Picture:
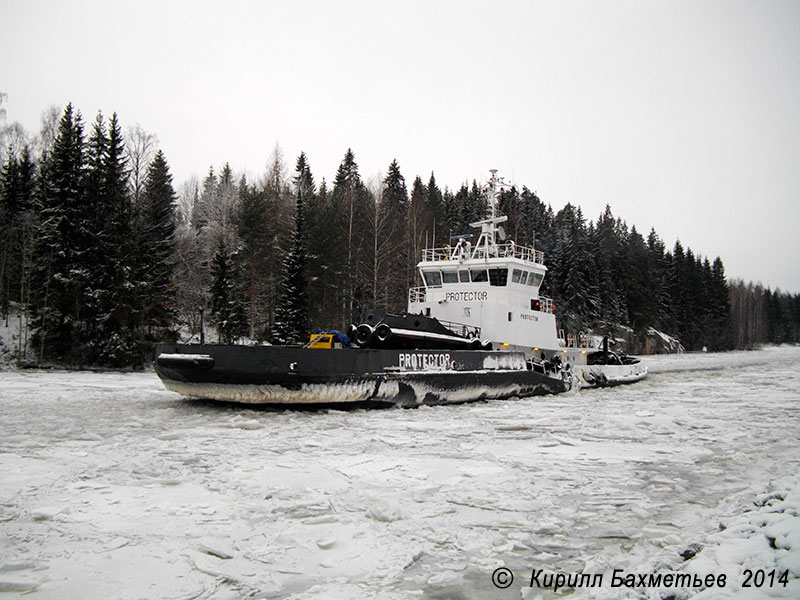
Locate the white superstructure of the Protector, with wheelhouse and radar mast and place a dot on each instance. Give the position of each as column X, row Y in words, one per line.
column 492, row 285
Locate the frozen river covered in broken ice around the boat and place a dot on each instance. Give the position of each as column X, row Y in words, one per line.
column 112, row 487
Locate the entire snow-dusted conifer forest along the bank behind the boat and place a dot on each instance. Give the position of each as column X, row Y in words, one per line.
column 101, row 255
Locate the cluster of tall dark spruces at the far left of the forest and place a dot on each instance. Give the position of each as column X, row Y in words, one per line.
column 86, row 256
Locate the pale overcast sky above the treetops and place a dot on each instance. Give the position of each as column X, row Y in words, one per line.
column 684, row 115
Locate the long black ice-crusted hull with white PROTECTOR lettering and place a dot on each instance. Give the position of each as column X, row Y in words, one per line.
column 281, row 375
